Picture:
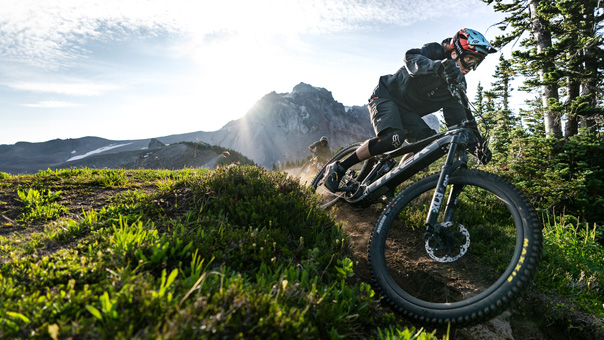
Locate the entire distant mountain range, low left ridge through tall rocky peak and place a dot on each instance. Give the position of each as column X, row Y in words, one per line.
column 277, row 128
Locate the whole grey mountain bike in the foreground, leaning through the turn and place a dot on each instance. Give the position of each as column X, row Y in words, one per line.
column 457, row 246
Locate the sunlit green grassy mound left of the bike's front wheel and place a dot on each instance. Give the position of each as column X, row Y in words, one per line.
column 234, row 253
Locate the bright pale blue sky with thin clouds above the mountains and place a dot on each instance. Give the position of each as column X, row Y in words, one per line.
column 130, row 69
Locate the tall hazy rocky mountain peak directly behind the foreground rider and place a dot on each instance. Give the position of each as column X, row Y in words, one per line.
column 280, row 127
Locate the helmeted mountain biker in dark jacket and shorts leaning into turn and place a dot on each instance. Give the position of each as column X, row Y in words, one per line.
column 418, row 88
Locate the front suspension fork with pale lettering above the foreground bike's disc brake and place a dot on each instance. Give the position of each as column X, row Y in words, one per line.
column 441, row 188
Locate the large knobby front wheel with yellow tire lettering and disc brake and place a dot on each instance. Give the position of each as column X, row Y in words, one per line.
column 484, row 250
